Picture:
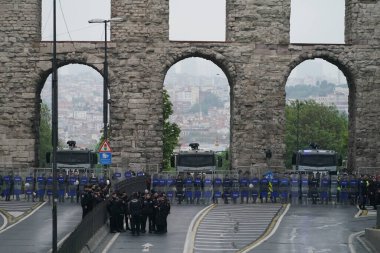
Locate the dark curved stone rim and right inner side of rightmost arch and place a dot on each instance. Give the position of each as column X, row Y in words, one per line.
column 348, row 70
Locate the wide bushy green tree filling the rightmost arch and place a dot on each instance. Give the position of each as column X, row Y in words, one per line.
column 317, row 123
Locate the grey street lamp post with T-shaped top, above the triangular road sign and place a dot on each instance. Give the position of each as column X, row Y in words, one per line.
column 105, row 72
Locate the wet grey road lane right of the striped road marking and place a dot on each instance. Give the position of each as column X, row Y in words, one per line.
column 316, row 229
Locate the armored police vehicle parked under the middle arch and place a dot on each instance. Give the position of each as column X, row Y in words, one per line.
column 195, row 160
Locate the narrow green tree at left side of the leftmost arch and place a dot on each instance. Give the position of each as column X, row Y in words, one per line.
column 45, row 134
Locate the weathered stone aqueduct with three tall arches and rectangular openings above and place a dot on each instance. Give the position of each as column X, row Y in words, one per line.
column 256, row 57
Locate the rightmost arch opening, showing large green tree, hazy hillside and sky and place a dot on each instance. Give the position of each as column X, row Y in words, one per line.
column 320, row 109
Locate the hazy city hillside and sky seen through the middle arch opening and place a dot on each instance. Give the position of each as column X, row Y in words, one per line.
column 200, row 94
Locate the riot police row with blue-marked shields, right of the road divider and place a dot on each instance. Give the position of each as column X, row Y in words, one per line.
column 295, row 188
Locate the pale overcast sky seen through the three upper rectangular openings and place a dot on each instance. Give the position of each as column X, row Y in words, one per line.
column 312, row 21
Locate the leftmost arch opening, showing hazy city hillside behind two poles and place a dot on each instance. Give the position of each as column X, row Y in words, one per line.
column 80, row 109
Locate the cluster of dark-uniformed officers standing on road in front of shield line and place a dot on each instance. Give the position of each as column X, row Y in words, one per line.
column 139, row 213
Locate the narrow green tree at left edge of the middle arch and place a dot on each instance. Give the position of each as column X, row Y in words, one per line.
column 171, row 132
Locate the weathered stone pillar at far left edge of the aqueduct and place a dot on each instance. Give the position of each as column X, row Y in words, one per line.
column 19, row 33
